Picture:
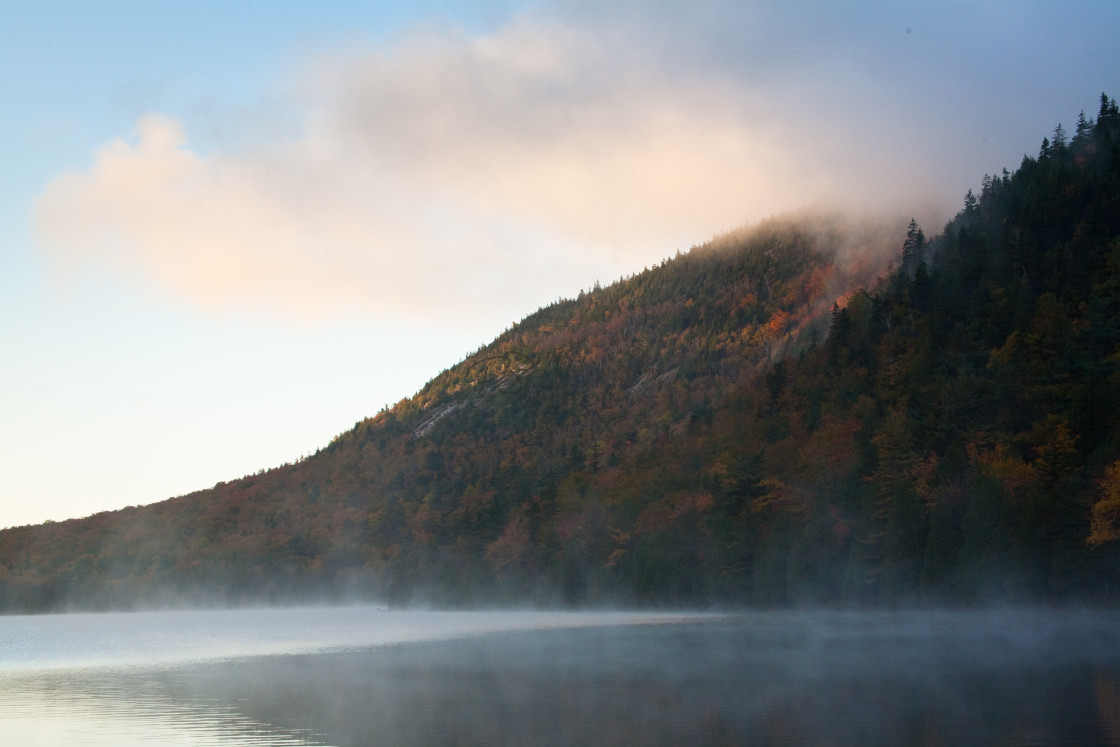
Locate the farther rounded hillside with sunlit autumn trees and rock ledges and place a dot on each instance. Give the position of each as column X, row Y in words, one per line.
column 500, row 478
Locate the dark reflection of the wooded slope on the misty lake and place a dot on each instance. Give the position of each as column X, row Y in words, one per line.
column 866, row 679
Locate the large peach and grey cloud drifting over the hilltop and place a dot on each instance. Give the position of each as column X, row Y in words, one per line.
column 482, row 175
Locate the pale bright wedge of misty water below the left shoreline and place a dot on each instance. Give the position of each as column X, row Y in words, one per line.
column 44, row 642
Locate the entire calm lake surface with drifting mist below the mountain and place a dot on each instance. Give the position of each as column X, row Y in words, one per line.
column 360, row 676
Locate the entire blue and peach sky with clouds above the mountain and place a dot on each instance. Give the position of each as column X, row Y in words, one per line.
column 230, row 230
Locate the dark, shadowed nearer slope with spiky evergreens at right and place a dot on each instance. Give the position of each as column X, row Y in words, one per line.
column 956, row 438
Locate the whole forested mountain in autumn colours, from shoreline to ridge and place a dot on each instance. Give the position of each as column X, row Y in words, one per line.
column 776, row 417
